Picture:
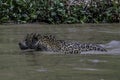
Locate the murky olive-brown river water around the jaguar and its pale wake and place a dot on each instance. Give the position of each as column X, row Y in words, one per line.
column 19, row 65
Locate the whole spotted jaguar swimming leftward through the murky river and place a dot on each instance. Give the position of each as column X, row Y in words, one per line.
column 47, row 42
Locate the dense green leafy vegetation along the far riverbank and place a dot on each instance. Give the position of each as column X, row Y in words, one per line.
column 58, row 11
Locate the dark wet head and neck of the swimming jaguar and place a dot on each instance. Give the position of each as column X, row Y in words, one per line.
column 37, row 42
